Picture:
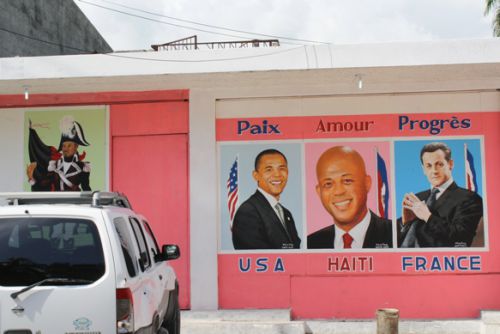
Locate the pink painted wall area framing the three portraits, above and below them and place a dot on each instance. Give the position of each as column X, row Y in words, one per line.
column 353, row 284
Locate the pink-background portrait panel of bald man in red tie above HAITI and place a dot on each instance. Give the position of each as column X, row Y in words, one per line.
column 348, row 191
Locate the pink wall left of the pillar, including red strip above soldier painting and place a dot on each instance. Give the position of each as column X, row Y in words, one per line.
column 144, row 126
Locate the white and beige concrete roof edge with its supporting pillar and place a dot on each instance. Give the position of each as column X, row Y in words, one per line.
column 404, row 77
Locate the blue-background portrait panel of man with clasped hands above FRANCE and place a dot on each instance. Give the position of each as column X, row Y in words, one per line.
column 439, row 193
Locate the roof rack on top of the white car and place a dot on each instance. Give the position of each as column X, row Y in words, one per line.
column 95, row 199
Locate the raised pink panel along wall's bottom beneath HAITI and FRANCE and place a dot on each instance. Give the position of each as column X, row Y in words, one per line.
column 417, row 297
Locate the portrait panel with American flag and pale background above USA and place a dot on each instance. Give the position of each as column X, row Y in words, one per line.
column 249, row 221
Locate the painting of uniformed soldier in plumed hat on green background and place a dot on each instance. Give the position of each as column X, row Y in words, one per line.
column 64, row 149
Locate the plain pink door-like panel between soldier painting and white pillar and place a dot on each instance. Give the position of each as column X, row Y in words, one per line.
column 149, row 155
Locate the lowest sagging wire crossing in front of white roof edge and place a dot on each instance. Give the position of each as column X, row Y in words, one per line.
column 147, row 59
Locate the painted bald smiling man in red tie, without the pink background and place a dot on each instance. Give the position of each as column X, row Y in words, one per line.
column 343, row 187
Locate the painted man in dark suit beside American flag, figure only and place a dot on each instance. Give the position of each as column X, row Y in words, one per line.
column 261, row 222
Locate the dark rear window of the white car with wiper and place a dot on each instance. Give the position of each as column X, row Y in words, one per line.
column 35, row 249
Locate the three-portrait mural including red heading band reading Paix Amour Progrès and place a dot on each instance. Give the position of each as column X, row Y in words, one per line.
column 347, row 183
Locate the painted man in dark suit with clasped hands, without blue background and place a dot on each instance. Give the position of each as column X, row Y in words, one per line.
column 445, row 215
